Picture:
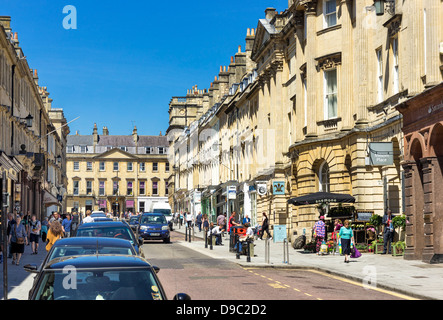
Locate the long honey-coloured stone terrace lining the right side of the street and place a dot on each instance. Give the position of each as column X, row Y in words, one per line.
column 311, row 105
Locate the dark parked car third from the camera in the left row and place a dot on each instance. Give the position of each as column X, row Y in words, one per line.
column 111, row 229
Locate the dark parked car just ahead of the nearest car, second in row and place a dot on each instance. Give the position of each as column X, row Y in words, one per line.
column 72, row 247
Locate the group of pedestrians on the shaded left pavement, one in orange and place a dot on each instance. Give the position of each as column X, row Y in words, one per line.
column 23, row 230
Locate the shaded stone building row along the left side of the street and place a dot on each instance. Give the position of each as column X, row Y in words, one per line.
column 32, row 134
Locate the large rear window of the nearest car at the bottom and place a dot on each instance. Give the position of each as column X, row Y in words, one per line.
column 116, row 284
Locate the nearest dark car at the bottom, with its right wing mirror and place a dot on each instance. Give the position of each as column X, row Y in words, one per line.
column 100, row 277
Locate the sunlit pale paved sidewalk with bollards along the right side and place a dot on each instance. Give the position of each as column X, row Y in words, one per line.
column 412, row 278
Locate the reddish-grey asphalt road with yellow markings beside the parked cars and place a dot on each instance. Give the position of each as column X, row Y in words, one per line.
column 206, row 278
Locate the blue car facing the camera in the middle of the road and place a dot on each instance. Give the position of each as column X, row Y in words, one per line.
column 154, row 226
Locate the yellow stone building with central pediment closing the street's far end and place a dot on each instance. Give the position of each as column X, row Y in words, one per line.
column 115, row 173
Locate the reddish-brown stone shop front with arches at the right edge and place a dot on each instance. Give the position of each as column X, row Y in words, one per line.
column 423, row 172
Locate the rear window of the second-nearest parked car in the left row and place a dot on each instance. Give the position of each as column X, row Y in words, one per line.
column 66, row 251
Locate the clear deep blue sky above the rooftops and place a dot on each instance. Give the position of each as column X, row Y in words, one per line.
column 126, row 59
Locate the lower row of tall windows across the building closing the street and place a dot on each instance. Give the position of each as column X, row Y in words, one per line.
column 116, row 191
